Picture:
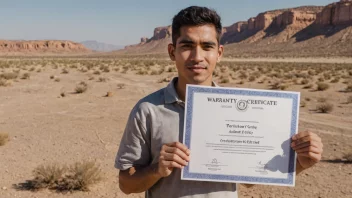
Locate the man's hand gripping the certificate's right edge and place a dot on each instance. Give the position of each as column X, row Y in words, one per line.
column 309, row 148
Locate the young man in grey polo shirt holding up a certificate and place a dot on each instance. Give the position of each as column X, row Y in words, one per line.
column 150, row 157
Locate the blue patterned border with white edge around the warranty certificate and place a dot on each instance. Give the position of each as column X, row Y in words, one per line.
column 192, row 89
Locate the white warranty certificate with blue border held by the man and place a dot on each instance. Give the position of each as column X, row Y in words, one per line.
column 240, row 135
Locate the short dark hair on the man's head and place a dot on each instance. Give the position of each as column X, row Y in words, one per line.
column 195, row 16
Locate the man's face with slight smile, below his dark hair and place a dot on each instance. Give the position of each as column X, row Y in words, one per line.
column 196, row 53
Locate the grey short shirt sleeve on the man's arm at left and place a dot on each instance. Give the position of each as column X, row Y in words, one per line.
column 134, row 149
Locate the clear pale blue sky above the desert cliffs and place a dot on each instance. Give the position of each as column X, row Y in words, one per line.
column 113, row 21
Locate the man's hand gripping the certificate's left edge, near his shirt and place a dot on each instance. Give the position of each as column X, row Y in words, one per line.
column 173, row 155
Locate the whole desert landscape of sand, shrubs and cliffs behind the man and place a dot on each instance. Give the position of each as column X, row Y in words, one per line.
column 63, row 107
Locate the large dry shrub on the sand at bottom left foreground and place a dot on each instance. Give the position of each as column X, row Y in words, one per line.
column 77, row 177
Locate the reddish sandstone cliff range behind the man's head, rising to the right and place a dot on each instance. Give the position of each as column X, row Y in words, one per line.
column 305, row 27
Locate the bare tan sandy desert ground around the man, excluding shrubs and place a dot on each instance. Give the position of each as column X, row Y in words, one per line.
column 45, row 128
